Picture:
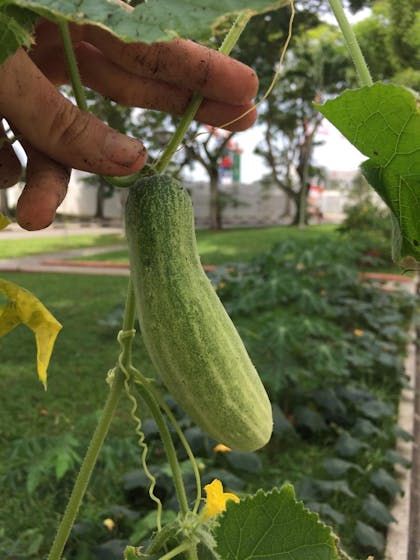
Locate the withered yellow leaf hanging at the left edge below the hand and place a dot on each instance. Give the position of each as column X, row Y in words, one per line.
column 24, row 307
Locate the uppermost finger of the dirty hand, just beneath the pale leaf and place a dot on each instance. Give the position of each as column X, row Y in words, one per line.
column 183, row 63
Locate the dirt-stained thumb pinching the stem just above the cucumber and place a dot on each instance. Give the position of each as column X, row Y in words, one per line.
column 55, row 127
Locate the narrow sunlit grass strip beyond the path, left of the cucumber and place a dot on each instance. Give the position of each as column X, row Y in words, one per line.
column 14, row 248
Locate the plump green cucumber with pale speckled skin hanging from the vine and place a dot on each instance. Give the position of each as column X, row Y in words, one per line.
column 191, row 340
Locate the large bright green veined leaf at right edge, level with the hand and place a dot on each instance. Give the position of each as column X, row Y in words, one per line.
column 383, row 122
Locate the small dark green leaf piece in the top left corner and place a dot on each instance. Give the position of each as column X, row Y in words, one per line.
column 16, row 27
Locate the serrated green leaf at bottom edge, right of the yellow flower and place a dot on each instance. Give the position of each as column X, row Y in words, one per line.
column 273, row 526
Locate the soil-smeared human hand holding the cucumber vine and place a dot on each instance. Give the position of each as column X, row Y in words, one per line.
column 57, row 136
